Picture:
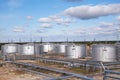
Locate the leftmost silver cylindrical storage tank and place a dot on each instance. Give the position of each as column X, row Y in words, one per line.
column 10, row 48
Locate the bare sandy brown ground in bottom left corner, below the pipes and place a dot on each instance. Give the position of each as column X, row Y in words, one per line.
column 10, row 73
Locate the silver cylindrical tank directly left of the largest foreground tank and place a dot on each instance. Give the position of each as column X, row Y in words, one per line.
column 75, row 51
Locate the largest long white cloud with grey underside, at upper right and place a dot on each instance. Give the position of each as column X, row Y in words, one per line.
column 90, row 11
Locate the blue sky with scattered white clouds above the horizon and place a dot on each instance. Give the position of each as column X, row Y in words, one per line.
column 55, row 20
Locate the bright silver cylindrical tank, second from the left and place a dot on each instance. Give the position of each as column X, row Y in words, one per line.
column 28, row 49
